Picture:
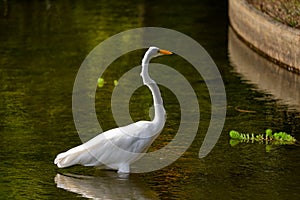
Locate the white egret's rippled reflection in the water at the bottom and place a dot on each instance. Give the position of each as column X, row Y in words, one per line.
column 108, row 185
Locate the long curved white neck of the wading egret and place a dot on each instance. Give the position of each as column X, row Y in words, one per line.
column 159, row 110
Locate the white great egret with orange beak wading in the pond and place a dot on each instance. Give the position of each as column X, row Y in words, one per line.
column 119, row 147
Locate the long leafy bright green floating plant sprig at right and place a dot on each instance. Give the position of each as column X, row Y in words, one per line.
column 268, row 137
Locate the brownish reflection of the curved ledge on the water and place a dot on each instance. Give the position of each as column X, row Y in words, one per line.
column 269, row 77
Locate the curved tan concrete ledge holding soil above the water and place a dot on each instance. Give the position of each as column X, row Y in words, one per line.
column 275, row 40
